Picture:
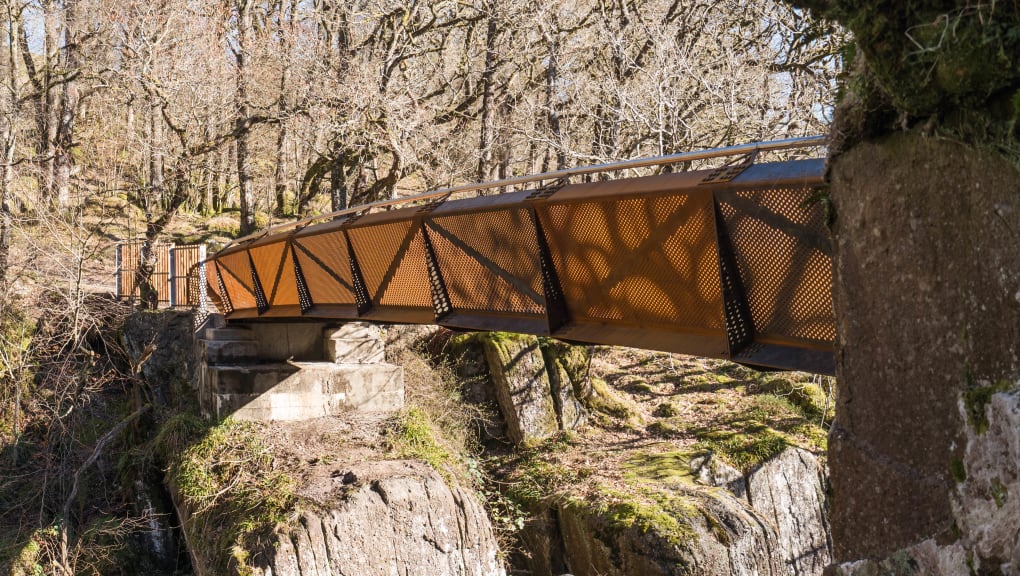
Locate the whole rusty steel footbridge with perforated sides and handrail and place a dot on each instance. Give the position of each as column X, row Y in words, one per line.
column 733, row 263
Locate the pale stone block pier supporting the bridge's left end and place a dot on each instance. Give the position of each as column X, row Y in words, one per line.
column 295, row 372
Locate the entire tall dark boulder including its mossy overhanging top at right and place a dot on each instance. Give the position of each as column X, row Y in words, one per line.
column 927, row 192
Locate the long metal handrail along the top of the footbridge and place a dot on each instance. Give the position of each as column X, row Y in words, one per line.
column 786, row 144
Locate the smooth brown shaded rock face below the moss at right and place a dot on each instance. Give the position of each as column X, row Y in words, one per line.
column 926, row 231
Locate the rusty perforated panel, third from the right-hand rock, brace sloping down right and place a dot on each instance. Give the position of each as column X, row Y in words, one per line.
column 503, row 275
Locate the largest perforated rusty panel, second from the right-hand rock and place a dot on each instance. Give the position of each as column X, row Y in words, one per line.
column 649, row 261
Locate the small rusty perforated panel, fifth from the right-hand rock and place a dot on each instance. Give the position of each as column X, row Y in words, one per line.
column 327, row 268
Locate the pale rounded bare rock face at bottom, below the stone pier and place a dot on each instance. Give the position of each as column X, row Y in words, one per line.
column 390, row 518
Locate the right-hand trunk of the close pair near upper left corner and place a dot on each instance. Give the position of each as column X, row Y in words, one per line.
column 64, row 160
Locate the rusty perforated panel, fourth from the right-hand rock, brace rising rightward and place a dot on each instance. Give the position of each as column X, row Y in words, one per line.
column 392, row 257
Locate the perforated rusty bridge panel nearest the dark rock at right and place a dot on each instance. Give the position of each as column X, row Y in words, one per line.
column 787, row 276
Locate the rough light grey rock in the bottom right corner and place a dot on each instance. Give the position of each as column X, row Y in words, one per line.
column 986, row 504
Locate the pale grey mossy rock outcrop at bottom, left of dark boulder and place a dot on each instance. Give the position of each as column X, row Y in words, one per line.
column 772, row 522
